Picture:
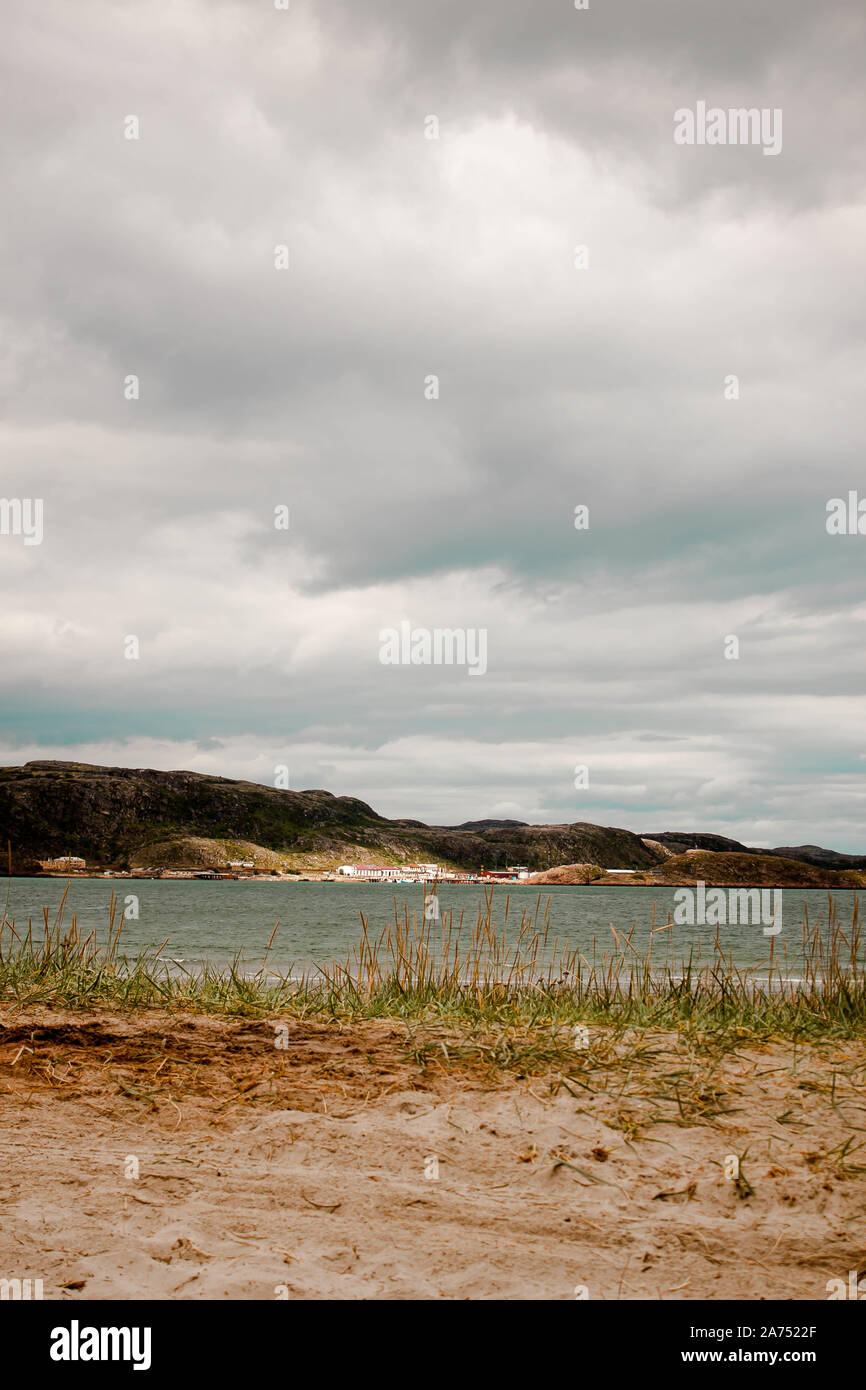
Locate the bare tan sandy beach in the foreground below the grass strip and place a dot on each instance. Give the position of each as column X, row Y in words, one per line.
column 162, row 1156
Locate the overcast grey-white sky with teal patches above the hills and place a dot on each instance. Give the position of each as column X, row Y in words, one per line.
column 558, row 387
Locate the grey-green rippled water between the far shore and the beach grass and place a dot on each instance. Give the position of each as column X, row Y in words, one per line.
column 319, row 921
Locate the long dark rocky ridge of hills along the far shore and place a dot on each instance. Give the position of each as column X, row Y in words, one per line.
column 117, row 818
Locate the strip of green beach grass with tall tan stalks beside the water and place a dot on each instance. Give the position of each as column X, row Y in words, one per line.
column 493, row 976
